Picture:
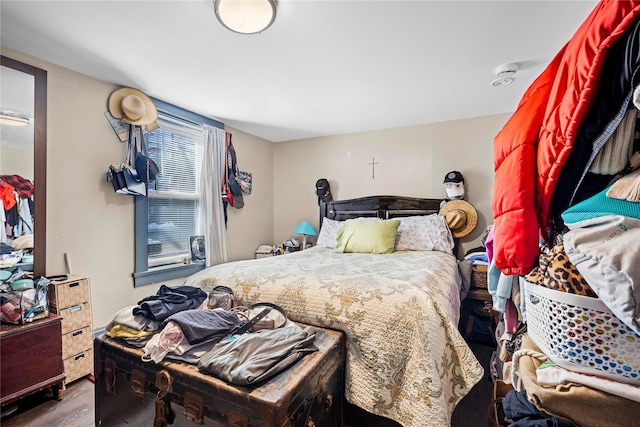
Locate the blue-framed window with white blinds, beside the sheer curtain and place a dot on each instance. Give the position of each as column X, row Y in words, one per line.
column 170, row 214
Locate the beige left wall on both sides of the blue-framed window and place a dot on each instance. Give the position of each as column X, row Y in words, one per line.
column 89, row 221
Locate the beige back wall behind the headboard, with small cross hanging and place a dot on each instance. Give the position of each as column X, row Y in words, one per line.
column 411, row 161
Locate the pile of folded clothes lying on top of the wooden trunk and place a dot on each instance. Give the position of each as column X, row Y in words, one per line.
column 177, row 323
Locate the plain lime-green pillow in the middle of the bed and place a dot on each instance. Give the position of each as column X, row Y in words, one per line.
column 370, row 237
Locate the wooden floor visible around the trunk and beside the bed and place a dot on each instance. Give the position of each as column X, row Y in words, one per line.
column 76, row 409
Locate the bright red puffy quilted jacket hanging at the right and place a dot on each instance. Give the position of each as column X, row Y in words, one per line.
column 533, row 146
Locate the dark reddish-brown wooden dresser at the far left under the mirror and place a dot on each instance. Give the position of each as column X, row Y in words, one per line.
column 31, row 359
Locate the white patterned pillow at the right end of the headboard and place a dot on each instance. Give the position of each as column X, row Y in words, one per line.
column 424, row 233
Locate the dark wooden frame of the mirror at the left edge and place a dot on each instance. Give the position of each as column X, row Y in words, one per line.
column 40, row 161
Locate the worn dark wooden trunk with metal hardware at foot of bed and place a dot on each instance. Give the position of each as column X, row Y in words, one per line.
column 309, row 393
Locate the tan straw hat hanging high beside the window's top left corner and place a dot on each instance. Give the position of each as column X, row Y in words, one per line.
column 132, row 106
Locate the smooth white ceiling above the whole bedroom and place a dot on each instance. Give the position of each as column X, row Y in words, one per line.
column 323, row 68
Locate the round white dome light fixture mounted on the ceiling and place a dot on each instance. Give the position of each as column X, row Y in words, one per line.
column 245, row 16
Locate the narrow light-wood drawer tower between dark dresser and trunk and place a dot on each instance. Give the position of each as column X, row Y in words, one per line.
column 71, row 300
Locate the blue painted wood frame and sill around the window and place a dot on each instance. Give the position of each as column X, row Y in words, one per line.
column 143, row 275
